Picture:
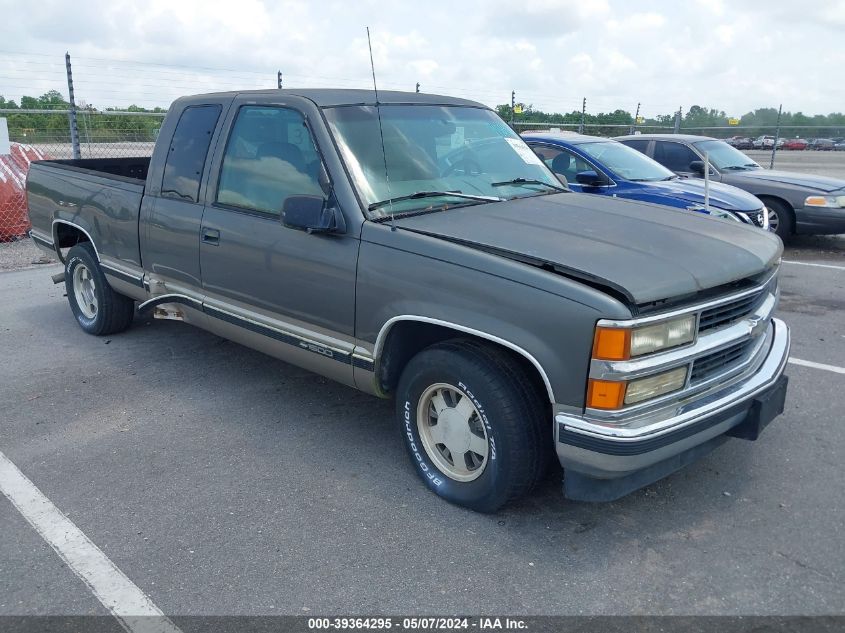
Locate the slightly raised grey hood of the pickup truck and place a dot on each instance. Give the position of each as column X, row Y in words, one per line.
column 643, row 251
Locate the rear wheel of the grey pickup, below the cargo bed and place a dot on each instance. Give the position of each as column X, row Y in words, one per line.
column 98, row 309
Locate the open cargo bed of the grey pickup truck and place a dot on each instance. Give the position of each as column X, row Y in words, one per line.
column 99, row 196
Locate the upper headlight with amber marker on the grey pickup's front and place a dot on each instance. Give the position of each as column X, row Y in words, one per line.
column 624, row 343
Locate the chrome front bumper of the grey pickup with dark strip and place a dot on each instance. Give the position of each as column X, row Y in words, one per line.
column 602, row 452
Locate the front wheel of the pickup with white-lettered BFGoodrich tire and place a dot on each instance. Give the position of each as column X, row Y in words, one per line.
column 473, row 424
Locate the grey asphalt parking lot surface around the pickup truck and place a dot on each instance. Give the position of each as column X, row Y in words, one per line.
column 220, row 481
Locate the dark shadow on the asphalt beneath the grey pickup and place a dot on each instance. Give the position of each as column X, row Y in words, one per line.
column 282, row 418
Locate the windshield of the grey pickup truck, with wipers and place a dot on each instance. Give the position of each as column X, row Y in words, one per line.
column 430, row 148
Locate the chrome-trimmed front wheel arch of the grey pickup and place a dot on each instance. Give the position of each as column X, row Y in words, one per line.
column 401, row 337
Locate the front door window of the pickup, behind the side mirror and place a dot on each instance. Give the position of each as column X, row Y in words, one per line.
column 270, row 156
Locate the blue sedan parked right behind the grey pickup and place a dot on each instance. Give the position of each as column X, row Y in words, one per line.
column 602, row 166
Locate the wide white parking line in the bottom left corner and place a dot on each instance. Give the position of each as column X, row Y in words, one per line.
column 124, row 600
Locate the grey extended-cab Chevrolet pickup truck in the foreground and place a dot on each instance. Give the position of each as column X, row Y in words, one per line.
column 416, row 248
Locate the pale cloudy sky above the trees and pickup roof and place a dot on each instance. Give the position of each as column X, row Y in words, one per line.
column 735, row 56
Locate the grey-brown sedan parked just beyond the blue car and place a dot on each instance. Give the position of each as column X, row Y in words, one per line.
column 797, row 203
